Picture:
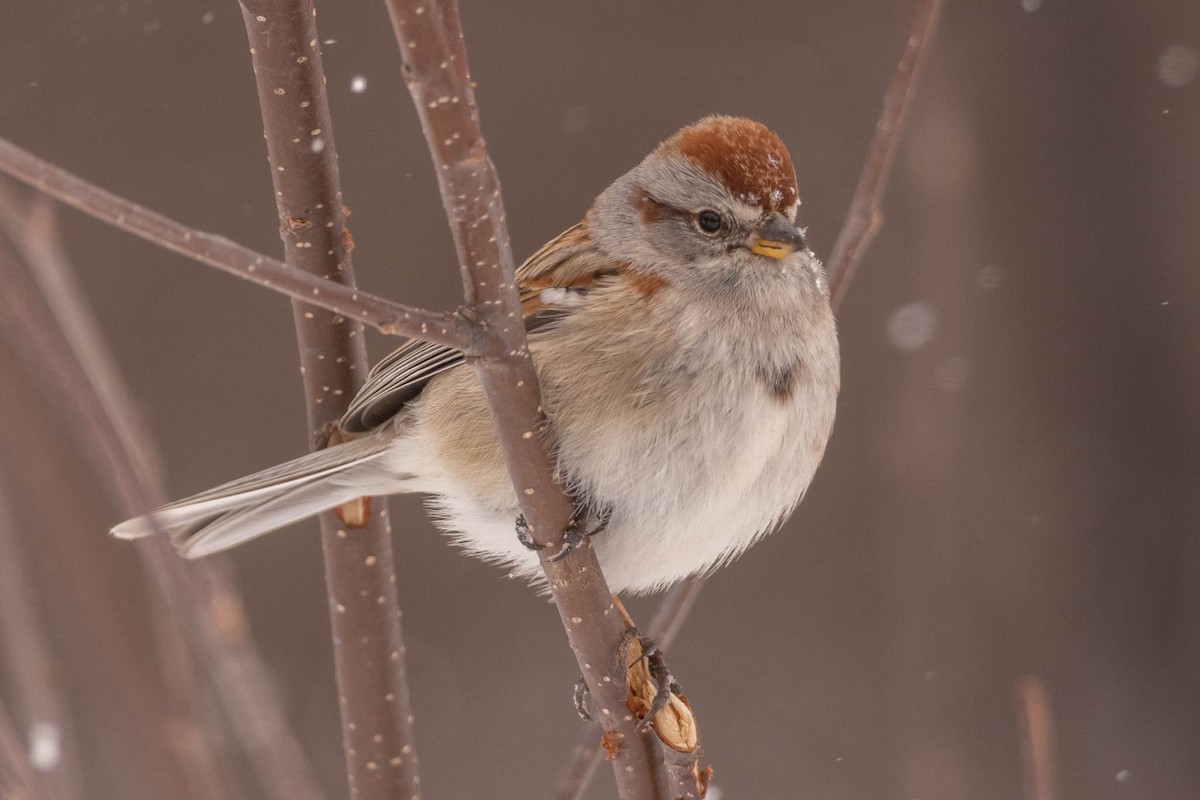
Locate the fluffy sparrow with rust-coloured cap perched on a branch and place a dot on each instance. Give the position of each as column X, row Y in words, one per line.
column 689, row 370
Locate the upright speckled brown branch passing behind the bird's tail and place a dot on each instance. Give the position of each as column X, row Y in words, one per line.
column 369, row 653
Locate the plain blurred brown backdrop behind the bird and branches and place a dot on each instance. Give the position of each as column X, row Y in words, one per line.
column 1012, row 488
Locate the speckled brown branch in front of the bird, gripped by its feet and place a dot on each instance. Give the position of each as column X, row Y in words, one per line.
column 437, row 76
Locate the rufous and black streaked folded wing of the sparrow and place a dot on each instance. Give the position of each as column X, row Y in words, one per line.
column 553, row 281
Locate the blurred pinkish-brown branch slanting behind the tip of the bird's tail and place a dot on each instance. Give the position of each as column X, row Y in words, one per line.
column 202, row 596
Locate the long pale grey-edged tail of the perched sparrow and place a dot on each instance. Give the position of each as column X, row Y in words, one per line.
column 265, row 502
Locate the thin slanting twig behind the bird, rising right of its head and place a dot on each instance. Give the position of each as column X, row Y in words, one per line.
column 863, row 221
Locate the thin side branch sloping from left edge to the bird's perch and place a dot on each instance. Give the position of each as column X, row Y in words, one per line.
column 217, row 251
